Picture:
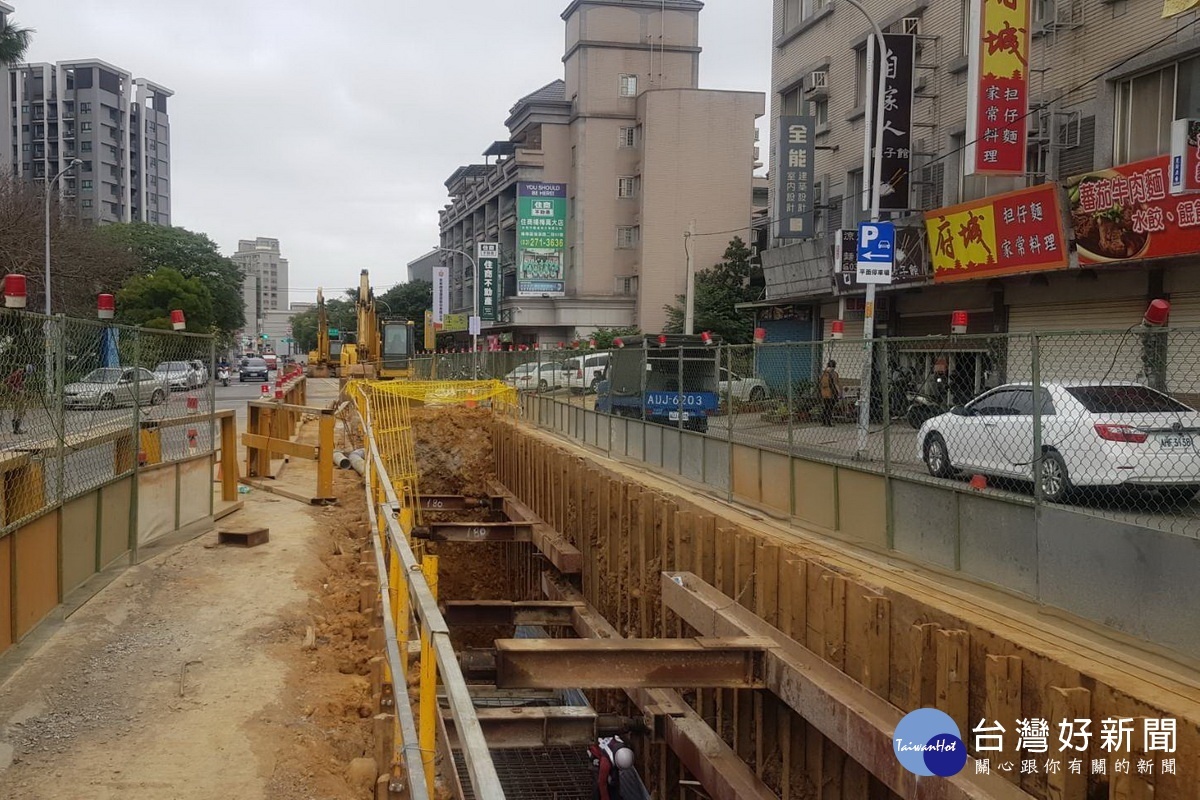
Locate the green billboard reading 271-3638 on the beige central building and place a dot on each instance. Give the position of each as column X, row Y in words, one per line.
column 542, row 239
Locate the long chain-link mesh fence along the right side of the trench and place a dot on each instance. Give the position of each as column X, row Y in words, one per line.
column 1103, row 422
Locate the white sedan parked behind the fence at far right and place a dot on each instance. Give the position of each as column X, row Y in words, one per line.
column 1093, row 436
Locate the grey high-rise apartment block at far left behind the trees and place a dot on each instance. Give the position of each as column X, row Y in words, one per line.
column 117, row 125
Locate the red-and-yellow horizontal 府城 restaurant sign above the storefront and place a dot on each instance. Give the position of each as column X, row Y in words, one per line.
column 1004, row 234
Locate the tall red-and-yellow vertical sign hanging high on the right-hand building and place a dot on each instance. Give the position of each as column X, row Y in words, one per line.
column 998, row 88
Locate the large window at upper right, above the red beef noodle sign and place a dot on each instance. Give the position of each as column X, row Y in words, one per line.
column 1149, row 104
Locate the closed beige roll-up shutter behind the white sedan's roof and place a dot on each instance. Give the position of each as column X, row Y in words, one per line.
column 1065, row 353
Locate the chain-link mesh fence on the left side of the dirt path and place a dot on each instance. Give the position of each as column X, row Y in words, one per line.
column 83, row 402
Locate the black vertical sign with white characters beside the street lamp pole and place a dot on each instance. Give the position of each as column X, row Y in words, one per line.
column 895, row 176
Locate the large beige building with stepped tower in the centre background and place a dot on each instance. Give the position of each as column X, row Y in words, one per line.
column 603, row 175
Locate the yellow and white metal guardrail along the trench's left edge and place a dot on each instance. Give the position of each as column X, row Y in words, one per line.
column 406, row 584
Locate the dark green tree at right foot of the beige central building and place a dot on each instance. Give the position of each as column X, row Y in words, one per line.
column 718, row 292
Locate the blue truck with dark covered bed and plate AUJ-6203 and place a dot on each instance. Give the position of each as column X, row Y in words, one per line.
column 670, row 380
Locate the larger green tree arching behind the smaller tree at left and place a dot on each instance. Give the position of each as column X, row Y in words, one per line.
column 194, row 256
